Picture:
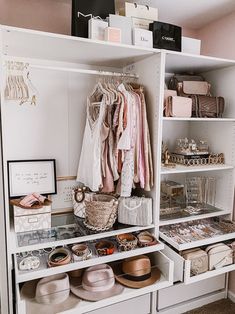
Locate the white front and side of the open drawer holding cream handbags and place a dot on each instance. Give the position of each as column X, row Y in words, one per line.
column 182, row 268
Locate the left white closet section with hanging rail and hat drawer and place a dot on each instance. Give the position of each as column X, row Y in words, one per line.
column 64, row 70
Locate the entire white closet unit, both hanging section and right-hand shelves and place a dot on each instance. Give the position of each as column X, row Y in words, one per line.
column 64, row 69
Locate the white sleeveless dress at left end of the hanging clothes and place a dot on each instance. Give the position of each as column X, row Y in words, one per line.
column 89, row 168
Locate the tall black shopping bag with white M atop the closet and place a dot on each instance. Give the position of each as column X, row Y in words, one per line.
column 101, row 8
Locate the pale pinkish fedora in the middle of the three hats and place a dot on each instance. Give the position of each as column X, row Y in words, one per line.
column 98, row 282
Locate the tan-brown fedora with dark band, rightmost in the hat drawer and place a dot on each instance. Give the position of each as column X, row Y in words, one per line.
column 136, row 272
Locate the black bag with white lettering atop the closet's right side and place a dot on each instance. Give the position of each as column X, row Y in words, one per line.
column 166, row 36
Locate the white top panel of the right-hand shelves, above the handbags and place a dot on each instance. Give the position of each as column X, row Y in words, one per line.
column 178, row 62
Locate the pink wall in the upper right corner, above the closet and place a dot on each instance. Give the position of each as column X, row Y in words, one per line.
column 218, row 37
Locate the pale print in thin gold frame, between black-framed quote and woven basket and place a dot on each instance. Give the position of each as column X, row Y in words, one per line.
column 62, row 202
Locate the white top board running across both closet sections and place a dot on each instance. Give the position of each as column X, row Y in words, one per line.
column 25, row 43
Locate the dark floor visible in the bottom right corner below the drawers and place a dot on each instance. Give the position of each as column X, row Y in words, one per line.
column 224, row 306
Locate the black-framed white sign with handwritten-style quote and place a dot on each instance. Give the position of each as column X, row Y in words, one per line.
column 28, row 176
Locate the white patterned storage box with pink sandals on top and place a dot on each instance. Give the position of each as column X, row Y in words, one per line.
column 32, row 219
